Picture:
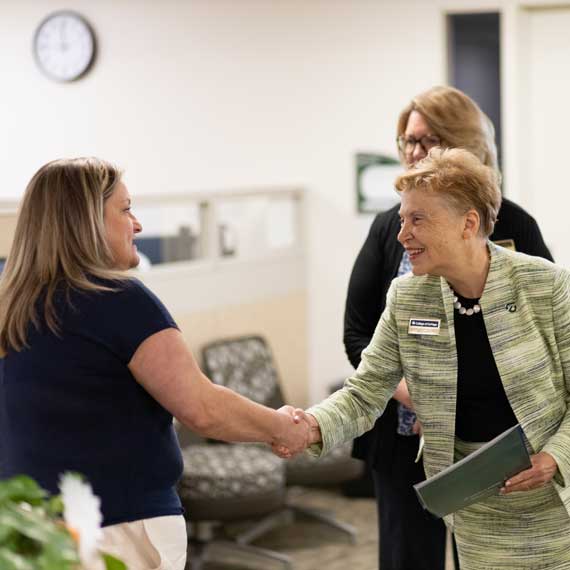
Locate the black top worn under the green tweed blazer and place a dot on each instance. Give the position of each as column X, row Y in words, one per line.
column 483, row 410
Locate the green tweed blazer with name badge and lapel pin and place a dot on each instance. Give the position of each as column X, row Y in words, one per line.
column 526, row 309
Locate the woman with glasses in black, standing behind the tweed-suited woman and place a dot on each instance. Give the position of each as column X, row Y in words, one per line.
column 441, row 116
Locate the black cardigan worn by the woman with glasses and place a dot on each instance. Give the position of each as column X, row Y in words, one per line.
column 375, row 267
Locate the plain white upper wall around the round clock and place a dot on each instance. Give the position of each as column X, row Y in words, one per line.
column 205, row 94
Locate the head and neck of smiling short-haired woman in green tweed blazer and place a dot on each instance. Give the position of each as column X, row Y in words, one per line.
column 449, row 208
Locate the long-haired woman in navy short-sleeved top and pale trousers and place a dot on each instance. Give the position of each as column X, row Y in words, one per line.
column 93, row 367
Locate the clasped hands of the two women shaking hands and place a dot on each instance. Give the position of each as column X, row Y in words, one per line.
column 298, row 430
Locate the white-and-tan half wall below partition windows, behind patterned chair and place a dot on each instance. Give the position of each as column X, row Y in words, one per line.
column 263, row 295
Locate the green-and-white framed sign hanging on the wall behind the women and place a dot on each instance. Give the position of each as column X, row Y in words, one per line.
column 375, row 176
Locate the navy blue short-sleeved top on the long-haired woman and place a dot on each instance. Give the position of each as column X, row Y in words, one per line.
column 69, row 402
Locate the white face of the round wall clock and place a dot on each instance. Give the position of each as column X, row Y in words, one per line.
column 64, row 46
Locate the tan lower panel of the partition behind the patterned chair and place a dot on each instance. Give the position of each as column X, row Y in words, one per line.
column 281, row 320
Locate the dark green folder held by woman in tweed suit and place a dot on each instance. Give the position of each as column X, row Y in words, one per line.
column 476, row 476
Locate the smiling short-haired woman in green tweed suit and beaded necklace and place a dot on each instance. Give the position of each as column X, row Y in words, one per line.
column 498, row 354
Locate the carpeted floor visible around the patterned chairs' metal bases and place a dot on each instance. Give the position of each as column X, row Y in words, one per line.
column 313, row 545
